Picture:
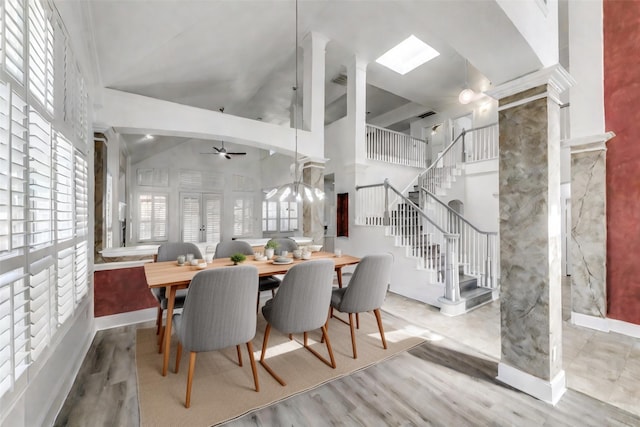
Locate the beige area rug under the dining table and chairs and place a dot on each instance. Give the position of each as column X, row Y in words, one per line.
column 222, row 390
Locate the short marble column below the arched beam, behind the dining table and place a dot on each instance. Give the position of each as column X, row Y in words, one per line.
column 313, row 212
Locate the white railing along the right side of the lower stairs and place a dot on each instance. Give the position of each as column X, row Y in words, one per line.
column 478, row 250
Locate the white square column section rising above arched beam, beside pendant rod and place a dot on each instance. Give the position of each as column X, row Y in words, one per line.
column 313, row 92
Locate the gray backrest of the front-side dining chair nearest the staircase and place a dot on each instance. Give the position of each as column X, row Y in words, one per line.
column 368, row 286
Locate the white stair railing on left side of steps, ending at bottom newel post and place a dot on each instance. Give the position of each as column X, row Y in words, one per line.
column 435, row 247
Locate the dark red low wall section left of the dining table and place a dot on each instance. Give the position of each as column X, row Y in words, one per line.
column 121, row 291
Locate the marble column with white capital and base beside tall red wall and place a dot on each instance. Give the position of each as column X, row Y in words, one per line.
column 589, row 231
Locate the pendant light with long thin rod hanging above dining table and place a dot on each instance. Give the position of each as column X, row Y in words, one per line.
column 296, row 191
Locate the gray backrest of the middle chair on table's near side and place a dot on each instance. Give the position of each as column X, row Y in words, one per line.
column 302, row 301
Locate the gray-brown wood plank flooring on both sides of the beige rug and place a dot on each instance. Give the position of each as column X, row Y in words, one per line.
column 440, row 383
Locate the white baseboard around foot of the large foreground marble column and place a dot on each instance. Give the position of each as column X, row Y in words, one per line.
column 547, row 391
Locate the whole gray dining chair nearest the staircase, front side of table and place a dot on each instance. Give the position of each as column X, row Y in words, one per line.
column 366, row 292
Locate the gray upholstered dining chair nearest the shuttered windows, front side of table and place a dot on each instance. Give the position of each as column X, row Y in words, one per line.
column 218, row 313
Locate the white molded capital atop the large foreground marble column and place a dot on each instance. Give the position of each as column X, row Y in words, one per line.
column 555, row 77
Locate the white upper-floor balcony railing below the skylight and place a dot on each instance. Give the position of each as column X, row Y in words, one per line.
column 395, row 147
